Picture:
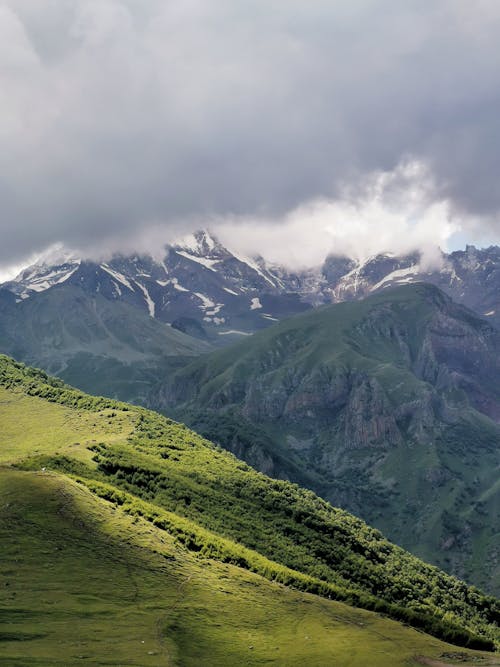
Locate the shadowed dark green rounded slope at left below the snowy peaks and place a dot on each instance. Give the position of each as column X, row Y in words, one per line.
column 105, row 346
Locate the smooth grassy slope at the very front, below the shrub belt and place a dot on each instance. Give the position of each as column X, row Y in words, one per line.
column 85, row 584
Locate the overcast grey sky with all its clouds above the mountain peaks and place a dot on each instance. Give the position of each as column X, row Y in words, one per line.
column 352, row 123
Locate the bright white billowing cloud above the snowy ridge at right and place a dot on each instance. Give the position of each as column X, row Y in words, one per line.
column 396, row 213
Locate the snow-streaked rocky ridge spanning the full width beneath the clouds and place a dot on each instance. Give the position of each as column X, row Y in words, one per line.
column 210, row 292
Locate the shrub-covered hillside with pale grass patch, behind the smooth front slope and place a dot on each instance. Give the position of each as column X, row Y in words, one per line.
column 153, row 469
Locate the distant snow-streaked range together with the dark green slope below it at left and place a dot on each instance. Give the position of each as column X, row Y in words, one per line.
column 83, row 320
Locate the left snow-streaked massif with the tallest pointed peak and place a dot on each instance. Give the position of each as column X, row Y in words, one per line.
column 199, row 287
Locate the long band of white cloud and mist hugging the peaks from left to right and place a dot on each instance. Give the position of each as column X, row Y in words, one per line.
column 394, row 211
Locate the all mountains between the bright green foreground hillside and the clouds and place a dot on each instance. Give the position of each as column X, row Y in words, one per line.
column 394, row 415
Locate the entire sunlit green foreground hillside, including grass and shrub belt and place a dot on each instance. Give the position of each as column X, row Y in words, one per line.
column 166, row 525
